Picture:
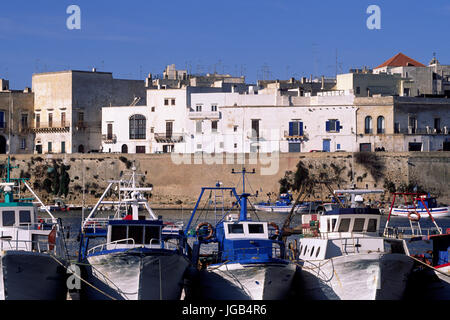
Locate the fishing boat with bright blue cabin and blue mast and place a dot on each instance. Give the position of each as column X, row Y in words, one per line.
column 247, row 261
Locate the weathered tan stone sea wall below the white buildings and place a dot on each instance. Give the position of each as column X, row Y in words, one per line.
column 173, row 182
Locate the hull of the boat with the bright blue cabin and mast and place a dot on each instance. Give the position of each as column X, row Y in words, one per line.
column 235, row 281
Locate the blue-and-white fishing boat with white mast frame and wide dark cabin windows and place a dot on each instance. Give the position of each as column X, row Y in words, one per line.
column 139, row 256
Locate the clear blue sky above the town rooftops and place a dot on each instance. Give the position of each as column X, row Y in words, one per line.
column 285, row 37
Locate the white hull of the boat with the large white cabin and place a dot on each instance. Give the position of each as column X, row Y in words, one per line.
column 372, row 276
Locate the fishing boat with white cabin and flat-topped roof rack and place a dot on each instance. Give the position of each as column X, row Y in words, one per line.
column 350, row 260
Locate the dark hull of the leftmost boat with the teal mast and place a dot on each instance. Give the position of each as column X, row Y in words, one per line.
column 31, row 276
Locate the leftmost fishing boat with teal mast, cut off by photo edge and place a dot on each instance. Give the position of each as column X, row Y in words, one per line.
column 33, row 255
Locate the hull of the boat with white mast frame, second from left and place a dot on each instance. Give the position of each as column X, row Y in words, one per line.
column 125, row 276
